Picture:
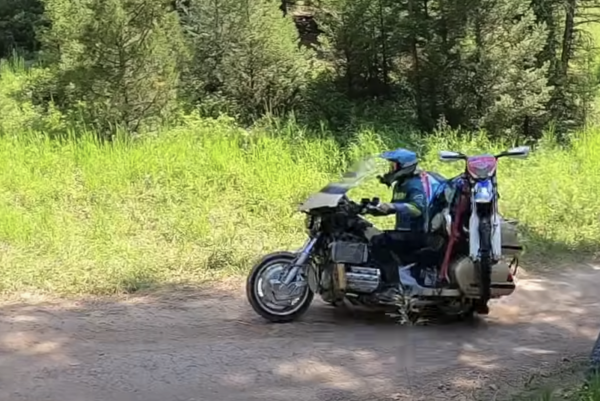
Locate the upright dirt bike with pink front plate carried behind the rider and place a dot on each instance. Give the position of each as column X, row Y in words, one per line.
column 474, row 225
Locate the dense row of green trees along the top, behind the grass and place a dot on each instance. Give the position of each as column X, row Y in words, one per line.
column 507, row 66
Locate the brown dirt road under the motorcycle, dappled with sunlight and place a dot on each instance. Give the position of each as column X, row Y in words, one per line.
column 210, row 346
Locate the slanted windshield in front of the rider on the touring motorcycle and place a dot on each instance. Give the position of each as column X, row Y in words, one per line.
column 332, row 193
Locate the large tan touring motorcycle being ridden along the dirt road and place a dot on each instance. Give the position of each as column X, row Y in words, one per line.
column 336, row 261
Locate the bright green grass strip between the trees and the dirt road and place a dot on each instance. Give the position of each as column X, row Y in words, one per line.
column 206, row 198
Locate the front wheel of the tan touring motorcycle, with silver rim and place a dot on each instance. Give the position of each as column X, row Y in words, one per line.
column 269, row 297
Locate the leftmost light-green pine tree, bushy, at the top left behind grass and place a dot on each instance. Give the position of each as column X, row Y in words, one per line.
column 117, row 59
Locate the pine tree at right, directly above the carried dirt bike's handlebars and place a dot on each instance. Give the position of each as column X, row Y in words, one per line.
column 500, row 84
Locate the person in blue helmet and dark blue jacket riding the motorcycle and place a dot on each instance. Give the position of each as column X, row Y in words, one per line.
column 409, row 203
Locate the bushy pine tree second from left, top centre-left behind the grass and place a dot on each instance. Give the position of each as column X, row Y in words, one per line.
column 247, row 58
